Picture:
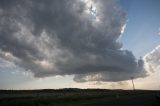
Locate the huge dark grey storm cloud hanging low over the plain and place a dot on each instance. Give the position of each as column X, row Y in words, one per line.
column 67, row 37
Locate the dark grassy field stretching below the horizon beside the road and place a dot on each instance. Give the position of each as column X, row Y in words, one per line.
column 69, row 97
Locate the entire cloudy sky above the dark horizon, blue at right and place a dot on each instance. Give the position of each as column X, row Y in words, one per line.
column 79, row 44
